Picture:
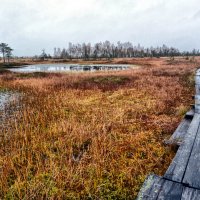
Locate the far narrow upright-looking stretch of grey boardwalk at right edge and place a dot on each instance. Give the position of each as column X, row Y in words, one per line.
column 197, row 95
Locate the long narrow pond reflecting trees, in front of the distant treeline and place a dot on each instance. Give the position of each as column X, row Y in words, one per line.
column 67, row 68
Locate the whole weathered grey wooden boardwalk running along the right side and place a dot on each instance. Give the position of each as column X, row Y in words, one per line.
column 182, row 179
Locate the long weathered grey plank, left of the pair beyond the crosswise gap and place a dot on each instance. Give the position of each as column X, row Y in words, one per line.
column 177, row 168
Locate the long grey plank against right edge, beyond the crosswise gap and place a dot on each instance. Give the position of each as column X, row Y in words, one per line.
column 192, row 174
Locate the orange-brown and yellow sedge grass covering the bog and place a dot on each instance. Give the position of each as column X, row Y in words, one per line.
column 92, row 135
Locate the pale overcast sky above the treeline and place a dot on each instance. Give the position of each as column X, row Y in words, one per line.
column 28, row 26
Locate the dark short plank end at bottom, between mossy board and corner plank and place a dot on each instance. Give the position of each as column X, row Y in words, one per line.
column 170, row 191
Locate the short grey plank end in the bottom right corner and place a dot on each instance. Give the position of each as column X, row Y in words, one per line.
column 190, row 194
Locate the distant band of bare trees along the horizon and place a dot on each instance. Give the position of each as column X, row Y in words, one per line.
column 120, row 50
